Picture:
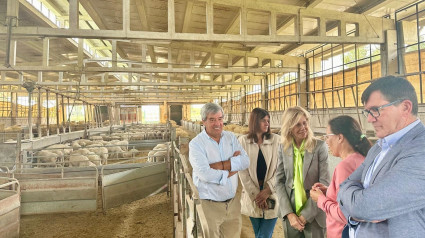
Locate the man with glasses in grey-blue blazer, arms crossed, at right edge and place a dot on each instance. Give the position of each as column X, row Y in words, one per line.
column 385, row 196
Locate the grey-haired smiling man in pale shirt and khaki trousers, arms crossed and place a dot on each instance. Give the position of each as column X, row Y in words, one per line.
column 216, row 156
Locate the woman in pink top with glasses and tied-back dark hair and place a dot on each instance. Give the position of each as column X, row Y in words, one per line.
column 345, row 140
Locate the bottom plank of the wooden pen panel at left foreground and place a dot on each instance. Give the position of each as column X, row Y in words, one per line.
column 58, row 207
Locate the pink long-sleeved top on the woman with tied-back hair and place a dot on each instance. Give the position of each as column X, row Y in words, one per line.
column 335, row 220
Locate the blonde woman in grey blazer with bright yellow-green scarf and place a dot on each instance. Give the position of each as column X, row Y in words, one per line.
column 303, row 161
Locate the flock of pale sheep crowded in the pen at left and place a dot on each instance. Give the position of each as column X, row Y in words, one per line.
column 100, row 149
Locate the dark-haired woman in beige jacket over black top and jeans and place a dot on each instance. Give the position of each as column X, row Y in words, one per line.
column 258, row 198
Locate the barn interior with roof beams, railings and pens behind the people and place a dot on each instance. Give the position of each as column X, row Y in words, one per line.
column 92, row 74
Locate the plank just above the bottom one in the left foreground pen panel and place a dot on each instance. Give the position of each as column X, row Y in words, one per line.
column 59, row 195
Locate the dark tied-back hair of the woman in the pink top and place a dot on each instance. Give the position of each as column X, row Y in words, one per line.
column 350, row 129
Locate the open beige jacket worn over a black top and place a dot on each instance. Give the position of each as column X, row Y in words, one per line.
column 248, row 177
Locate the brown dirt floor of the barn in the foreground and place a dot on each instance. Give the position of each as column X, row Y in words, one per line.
column 148, row 217
